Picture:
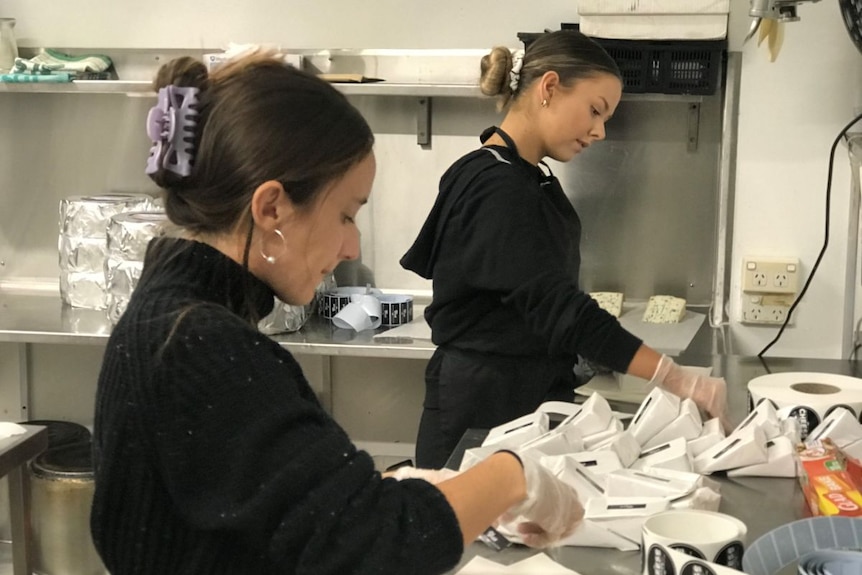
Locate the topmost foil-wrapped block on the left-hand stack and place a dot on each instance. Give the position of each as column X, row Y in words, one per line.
column 88, row 216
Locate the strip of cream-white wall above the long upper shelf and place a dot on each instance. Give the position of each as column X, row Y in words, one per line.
column 291, row 24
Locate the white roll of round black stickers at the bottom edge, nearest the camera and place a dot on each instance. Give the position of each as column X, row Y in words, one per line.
column 707, row 535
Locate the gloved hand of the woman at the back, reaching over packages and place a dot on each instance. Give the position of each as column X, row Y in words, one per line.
column 709, row 393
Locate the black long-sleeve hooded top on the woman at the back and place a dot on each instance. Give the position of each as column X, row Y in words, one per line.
column 502, row 246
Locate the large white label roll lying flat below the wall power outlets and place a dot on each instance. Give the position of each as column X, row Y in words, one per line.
column 807, row 396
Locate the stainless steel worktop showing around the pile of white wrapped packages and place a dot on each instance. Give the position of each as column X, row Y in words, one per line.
column 762, row 503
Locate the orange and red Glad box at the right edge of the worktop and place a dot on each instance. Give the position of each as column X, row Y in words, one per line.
column 827, row 485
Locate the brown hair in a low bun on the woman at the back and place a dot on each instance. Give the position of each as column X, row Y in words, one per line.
column 567, row 52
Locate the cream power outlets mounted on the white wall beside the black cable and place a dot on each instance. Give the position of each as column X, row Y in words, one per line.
column 769, row 286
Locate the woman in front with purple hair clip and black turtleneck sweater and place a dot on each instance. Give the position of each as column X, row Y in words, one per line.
column 212, row 453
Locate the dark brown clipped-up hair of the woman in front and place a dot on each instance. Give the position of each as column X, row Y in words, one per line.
column 258, row 120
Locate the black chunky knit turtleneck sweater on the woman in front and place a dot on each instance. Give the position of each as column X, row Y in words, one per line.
column 213, row 454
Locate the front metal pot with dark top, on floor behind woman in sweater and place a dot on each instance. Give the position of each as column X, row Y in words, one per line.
column 61, row 494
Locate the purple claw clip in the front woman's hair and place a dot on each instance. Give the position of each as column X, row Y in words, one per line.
column 170, row 125
